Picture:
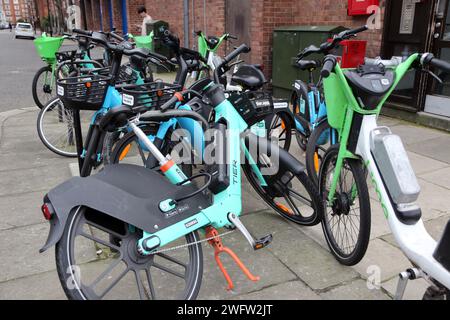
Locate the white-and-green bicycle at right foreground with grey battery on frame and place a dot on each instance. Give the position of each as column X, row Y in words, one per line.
column 354, row 100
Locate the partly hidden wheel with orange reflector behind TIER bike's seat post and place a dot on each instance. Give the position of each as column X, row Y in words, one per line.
column 128, row 149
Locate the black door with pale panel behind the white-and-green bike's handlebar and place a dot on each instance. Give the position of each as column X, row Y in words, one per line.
column 408, row 30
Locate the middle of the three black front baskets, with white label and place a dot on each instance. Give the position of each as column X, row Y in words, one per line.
column 149, row 95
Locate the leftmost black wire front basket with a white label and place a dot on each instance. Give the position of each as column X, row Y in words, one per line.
column 86, row 92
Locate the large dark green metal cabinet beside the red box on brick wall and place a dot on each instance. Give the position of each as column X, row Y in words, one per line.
column 287, row 43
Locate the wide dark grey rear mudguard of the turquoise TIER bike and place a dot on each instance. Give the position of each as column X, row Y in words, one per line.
column 126, row 192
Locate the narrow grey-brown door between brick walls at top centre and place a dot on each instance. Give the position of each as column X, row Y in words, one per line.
column 237, row 23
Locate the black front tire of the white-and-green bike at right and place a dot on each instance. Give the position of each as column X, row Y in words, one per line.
column 363, row 237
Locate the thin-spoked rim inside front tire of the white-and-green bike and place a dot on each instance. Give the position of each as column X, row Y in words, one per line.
column 342, row 216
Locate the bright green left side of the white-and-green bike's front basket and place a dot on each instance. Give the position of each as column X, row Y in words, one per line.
column 335, row 100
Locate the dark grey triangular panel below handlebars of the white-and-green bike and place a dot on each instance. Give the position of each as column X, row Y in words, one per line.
column 370, row 87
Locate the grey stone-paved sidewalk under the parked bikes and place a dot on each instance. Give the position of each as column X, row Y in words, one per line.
column 297, row 265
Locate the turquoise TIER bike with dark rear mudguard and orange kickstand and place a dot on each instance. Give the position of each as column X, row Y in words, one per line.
column 119, row 208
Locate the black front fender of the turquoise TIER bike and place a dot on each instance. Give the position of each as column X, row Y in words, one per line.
column 286, row 160
